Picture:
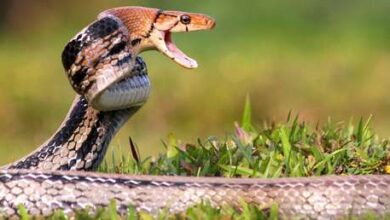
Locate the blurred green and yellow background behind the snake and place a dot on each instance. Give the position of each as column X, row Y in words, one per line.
column 316, row 58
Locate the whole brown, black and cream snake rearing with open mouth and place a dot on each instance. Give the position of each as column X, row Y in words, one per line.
column 111, row 80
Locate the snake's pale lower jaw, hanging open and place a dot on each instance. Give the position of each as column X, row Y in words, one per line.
column 169, row 48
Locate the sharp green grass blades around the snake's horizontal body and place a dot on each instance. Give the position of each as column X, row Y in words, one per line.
column 291, row 148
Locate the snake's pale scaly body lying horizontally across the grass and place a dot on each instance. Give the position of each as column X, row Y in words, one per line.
column 316, row 198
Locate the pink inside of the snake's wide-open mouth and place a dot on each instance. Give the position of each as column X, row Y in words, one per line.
column 178, row 55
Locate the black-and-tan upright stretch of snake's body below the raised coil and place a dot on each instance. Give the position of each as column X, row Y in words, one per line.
column 81, row 141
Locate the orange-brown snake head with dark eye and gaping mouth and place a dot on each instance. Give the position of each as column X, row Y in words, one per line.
column 150, row 29
